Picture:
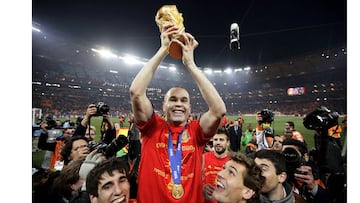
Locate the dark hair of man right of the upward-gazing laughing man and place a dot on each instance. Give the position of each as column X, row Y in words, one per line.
column 275, row 157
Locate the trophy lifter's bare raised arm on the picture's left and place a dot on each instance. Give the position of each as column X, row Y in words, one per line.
column 141, row 105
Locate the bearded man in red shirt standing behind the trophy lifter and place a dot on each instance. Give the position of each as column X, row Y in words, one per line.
column 213, row 162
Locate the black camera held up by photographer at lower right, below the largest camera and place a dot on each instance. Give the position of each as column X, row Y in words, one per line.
column 293, row 161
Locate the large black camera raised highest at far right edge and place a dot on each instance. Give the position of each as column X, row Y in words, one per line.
column 321, row 118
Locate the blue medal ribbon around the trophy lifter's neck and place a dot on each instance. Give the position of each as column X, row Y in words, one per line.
column 175, row 158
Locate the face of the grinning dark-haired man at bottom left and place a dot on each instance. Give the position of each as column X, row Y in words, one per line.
column 112, row 189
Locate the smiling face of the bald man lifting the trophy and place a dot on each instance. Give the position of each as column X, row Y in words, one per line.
column 177, row 106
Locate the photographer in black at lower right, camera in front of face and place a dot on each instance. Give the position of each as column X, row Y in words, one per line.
column 302, row 174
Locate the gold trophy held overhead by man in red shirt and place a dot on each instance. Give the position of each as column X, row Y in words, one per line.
column 169, row 15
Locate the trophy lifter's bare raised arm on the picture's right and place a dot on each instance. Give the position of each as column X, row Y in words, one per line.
column 210, row 121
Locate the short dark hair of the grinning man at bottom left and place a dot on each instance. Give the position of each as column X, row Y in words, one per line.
column 107, row 166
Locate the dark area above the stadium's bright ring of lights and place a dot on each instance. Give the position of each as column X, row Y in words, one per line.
column 269, row 30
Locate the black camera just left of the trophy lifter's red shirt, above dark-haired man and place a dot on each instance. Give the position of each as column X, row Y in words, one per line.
column 111, row 149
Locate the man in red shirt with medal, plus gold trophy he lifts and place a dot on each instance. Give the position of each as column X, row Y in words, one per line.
column 170, row 166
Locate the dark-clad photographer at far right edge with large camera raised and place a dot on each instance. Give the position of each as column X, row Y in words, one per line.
column 328, row 151
